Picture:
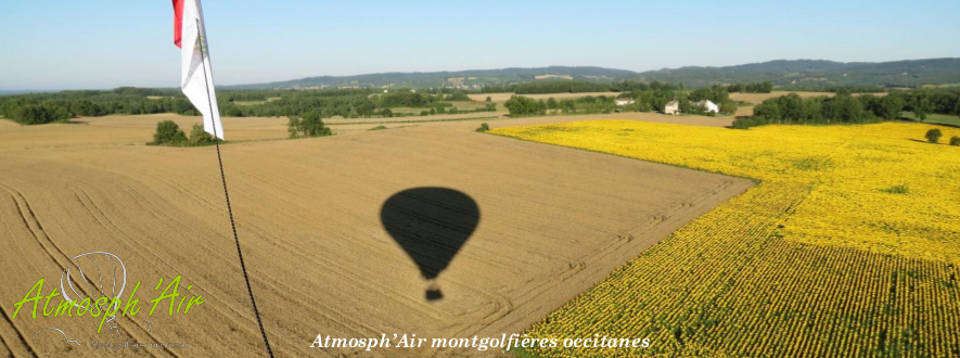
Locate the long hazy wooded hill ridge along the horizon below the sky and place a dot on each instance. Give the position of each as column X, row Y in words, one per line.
column 783, row 73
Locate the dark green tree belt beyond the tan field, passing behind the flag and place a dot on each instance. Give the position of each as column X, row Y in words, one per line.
column 40, row 108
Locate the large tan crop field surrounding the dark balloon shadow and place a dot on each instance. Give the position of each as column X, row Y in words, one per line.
column 552, row 222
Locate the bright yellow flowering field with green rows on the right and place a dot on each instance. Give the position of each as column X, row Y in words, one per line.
column 848, row 246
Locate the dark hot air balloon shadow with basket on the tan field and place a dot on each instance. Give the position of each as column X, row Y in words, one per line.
column 431, row 224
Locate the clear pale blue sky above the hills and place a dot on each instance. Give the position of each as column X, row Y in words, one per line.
column 50, row 44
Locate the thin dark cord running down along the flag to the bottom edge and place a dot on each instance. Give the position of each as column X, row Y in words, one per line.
column 223, row 179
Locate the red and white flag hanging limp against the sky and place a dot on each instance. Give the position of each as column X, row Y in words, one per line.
column 196, row 79
